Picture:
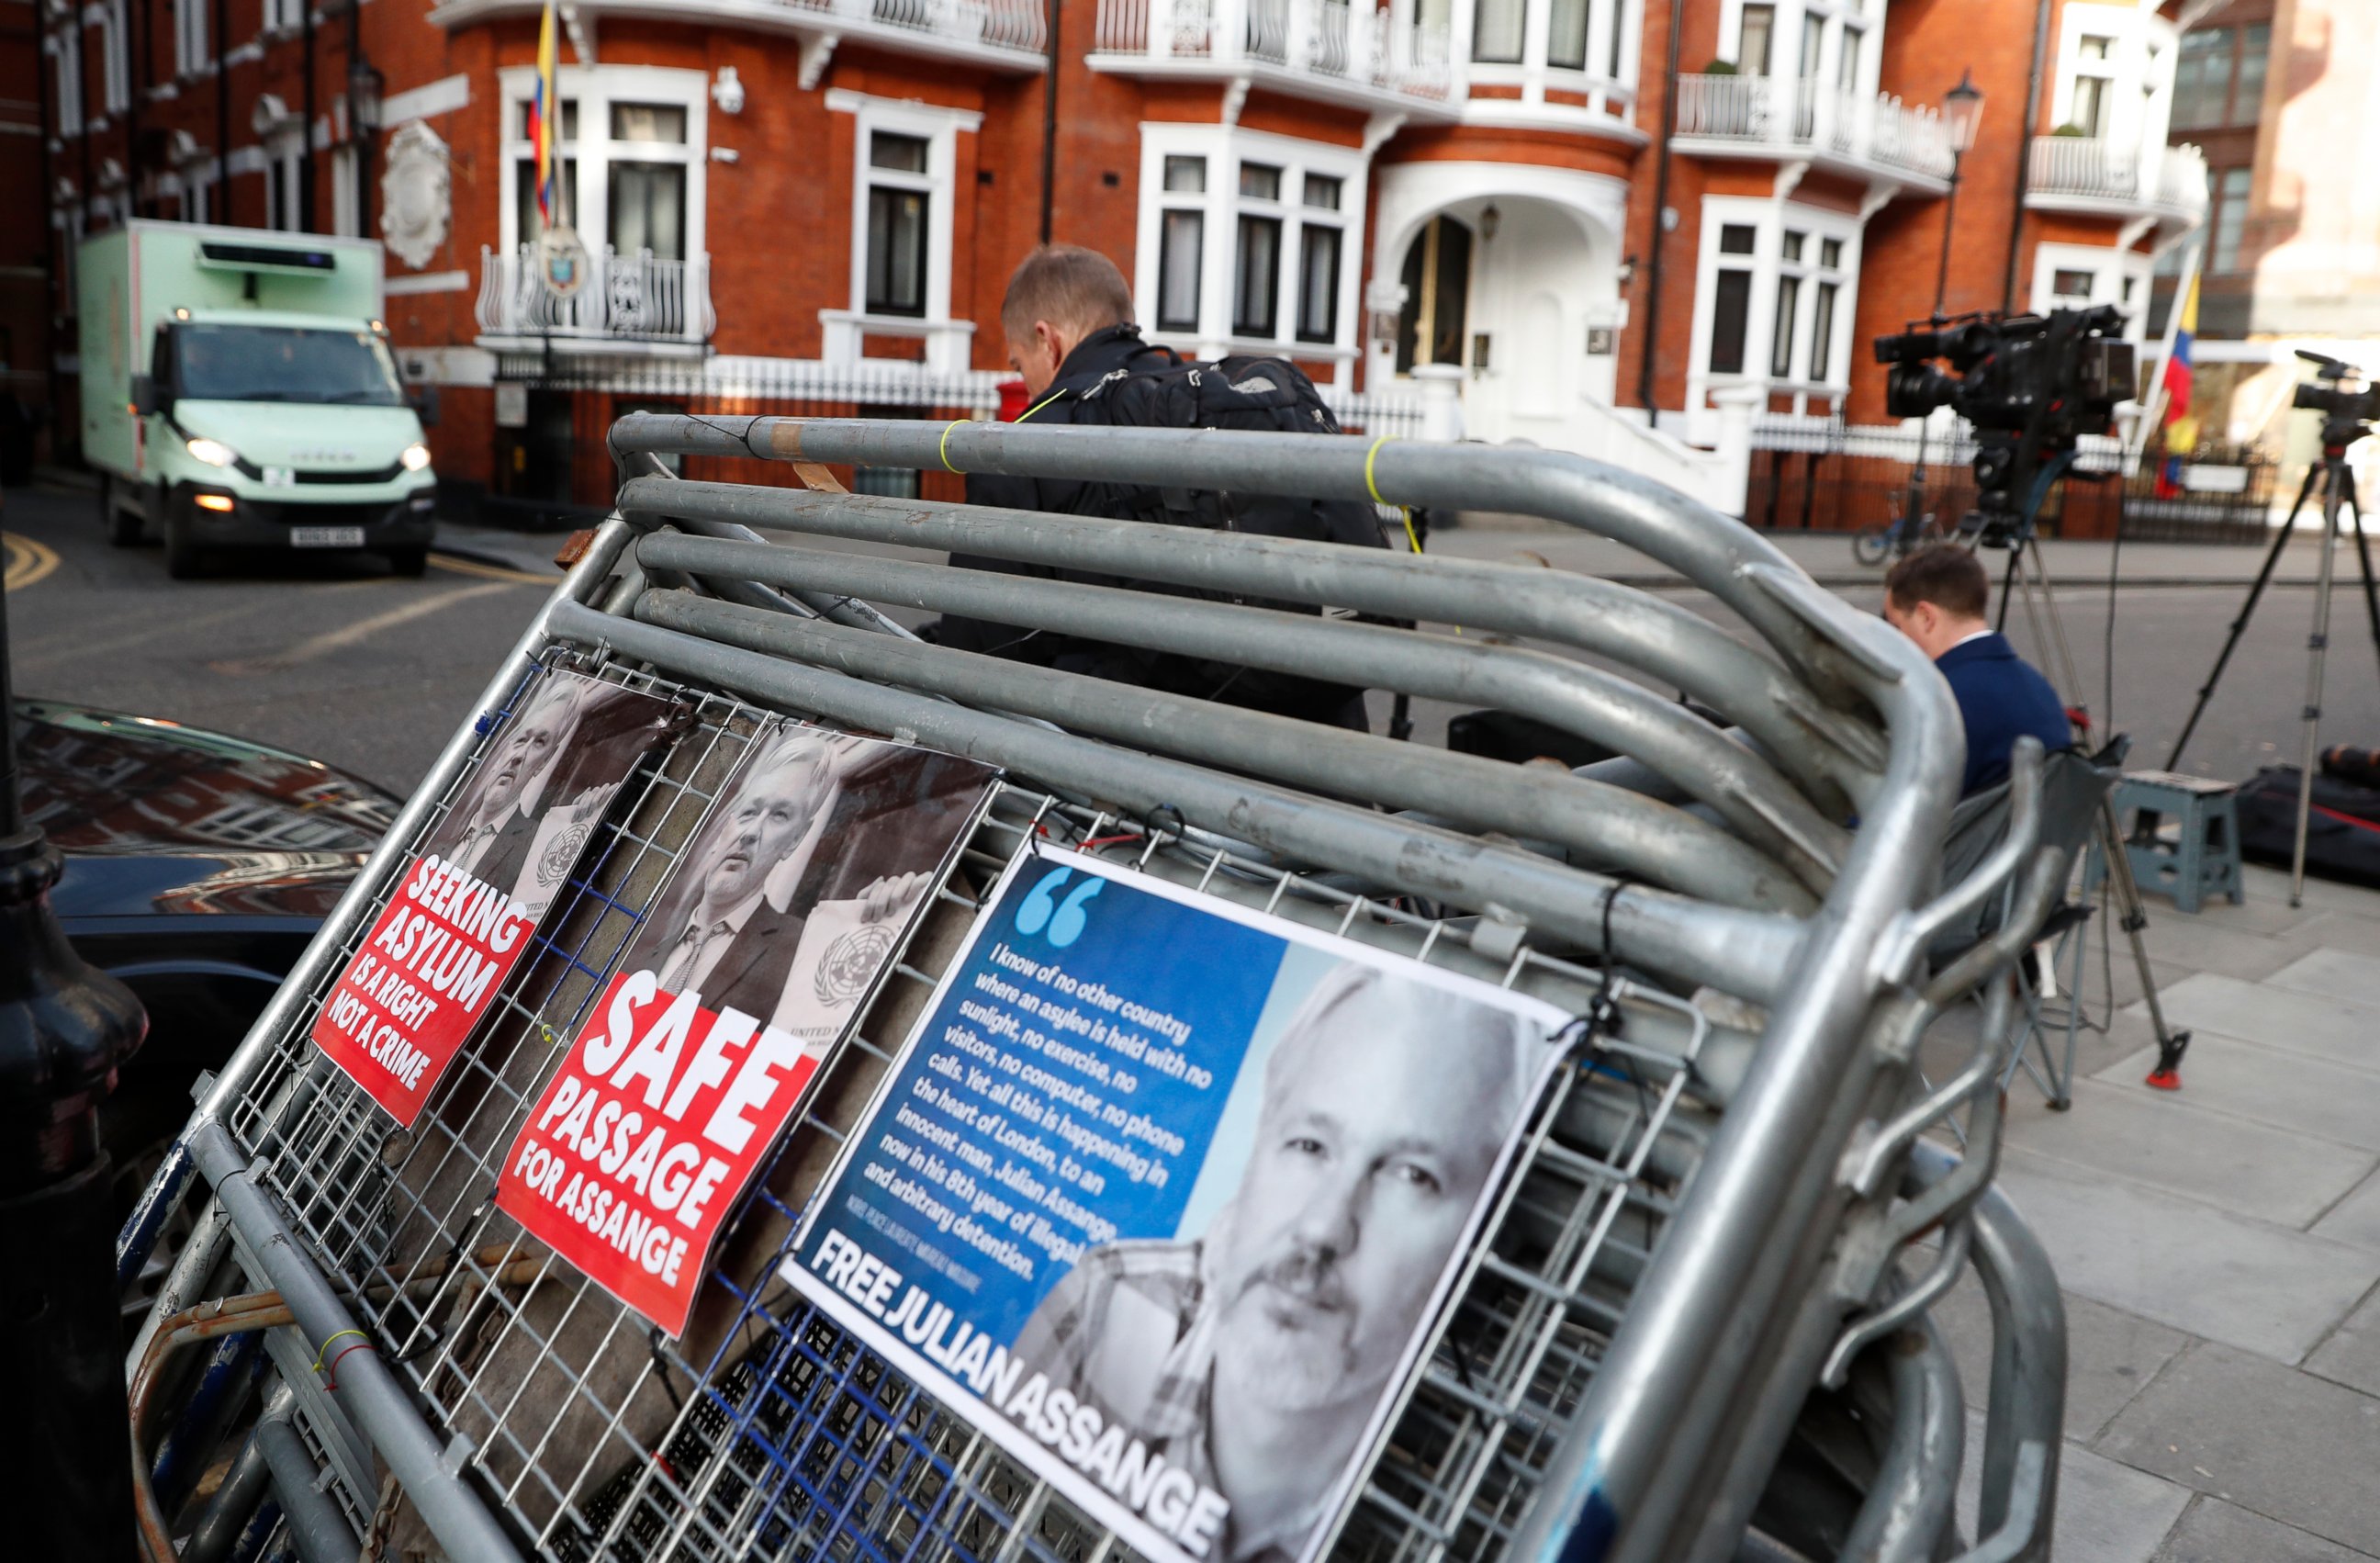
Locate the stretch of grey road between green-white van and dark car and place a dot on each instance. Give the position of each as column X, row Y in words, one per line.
column 325, row 655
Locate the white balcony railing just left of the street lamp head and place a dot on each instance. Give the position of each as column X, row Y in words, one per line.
column 1810, row 118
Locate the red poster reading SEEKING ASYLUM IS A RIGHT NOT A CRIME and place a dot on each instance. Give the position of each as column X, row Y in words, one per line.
column 465, row 912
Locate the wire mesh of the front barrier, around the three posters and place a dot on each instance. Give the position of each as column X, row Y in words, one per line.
column 770, row 1431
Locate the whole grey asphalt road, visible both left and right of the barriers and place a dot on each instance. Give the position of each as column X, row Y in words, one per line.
column 339, row 660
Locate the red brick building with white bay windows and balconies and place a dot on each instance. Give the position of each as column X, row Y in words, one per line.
column 1558, row 213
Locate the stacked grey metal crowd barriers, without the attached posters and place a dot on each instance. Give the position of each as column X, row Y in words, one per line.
column 1696, row 1326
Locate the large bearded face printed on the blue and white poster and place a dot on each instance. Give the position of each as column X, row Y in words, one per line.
column 1384, row 1112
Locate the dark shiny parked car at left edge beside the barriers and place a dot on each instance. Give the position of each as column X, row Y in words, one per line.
column 196, row 872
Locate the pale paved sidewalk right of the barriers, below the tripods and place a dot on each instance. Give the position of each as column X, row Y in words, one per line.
column 2219, row 1248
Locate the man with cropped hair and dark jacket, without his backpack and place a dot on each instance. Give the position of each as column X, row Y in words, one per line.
column 1070, row 327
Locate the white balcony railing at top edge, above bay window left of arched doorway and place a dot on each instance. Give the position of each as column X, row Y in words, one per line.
column 1329, row 42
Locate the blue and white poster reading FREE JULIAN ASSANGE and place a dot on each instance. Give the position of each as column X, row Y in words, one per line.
column 1165, row 1195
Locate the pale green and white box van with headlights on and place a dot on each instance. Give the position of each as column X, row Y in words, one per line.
column 239, row 394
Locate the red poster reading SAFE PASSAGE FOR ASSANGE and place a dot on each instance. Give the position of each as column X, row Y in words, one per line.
column 777, row 924
